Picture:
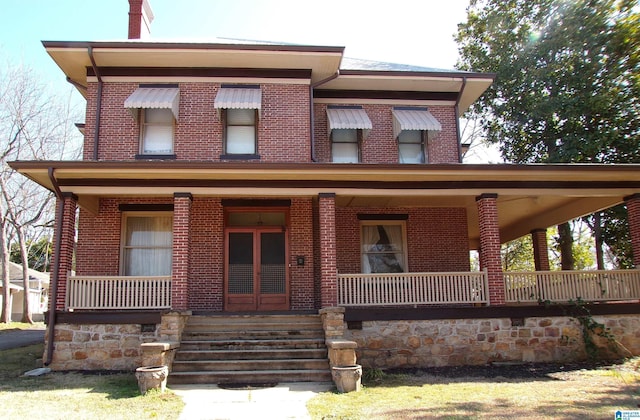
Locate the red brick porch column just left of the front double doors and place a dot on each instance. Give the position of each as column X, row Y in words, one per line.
column 180, row 263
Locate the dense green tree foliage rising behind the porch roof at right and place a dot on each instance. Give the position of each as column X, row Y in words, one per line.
column 567, row 83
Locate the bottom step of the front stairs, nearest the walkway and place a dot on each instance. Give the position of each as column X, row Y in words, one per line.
column 250, row 376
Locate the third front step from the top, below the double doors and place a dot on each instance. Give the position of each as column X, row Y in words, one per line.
column 259, row 344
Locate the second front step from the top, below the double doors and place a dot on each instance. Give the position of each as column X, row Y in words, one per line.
column 250, row 334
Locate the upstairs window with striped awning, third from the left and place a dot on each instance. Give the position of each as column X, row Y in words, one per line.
column 348, row 128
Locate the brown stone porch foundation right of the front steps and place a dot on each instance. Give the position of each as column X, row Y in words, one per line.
column 399, row 344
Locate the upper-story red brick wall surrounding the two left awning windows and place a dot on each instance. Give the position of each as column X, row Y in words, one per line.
column 283, row 128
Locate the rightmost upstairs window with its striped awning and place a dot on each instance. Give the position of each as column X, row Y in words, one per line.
column 413, row 126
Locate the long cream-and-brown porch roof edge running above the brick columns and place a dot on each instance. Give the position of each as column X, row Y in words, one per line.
column 503, row 174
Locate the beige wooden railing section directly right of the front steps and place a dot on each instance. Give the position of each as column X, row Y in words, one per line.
column 412, row 289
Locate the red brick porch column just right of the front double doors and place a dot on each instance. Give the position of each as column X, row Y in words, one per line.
column 328, row 267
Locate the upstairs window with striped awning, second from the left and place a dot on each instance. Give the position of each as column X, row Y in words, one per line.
column 239, row 106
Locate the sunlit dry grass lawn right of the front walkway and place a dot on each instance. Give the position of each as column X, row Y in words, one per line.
column 563, row 392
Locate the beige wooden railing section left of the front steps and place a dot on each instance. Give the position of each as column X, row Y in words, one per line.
column 116, row 292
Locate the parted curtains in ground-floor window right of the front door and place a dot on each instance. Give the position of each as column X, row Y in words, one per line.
column 382, row 249
